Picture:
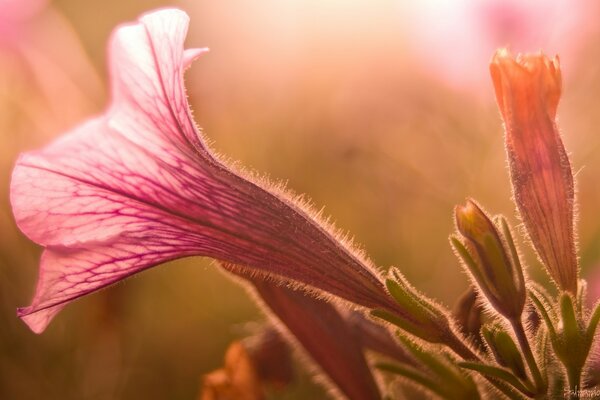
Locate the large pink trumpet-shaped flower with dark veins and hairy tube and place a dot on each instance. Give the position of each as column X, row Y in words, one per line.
column 137, row 186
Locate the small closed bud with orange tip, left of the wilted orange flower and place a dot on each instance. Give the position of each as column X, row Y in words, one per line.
column 491, row 258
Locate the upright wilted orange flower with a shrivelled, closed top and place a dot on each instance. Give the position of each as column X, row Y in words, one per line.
column 528, row 90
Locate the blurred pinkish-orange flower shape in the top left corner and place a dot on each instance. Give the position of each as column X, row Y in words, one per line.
column 51, row 86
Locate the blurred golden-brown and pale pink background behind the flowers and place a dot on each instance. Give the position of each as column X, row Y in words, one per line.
column 381, row 112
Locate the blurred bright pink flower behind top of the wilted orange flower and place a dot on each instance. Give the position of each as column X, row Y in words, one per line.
column 454, row 39
